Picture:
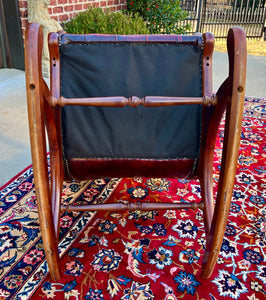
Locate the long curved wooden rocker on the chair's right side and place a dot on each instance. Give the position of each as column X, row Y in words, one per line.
column 236, row 44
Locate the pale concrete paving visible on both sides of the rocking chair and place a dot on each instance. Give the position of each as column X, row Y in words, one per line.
column 14, row 136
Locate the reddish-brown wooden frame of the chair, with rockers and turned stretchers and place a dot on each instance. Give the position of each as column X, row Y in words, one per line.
column 44, row 114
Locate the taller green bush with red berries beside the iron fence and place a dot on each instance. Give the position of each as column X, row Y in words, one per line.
column 162, row 16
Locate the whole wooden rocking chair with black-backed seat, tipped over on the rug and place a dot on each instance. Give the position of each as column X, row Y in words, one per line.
column 124, row 106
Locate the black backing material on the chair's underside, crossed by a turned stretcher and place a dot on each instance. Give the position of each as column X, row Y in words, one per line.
column 131, row 69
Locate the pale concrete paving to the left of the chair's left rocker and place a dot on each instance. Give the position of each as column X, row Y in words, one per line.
column 14, row 136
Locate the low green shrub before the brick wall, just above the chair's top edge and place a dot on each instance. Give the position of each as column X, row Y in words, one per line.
column 95, row 20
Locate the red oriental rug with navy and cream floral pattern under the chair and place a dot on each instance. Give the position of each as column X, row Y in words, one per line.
column 141, row 255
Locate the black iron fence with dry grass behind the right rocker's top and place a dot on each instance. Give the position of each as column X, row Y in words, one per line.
column 218, row 16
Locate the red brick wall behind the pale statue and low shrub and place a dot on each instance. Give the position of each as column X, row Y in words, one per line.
column 62, row 10
